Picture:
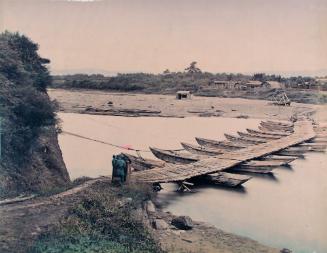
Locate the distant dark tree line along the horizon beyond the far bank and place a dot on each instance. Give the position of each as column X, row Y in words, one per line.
column 192, row 78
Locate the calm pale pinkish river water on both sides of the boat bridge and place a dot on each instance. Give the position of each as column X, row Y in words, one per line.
column 286, row 210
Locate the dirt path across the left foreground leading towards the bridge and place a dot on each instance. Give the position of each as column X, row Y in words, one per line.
column 22, row 222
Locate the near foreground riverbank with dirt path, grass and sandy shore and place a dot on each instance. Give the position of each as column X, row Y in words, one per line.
column 88, row 217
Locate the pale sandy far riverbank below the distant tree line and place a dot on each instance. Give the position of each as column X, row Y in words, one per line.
column 130, row 104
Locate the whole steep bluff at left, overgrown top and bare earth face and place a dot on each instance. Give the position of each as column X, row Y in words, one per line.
column 30, row 156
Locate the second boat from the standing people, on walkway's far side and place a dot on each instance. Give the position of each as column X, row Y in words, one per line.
column 173, row 156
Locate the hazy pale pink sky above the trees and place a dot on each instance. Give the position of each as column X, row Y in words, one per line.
column 152, row 35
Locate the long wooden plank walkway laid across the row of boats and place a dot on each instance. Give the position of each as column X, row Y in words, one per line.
column 303, row 131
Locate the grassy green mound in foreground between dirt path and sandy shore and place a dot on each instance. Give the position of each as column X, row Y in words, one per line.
column 101, row 222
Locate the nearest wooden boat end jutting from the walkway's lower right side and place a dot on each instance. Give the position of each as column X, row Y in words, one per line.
column 226, row 179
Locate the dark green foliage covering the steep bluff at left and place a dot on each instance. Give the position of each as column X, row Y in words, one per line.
column 26, row 109
